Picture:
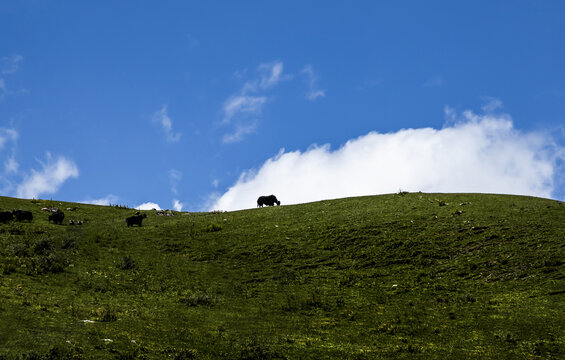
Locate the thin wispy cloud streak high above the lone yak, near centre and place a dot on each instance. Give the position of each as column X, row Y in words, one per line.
column 243, row 109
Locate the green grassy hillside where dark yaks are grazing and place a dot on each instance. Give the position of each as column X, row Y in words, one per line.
column 394, row 276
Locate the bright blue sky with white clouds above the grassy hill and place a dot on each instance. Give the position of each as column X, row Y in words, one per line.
column 208, row 105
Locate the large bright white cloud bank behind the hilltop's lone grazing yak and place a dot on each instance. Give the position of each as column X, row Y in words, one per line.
column 478, row 153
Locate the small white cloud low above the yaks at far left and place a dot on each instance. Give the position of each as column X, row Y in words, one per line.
column 49, row 179
